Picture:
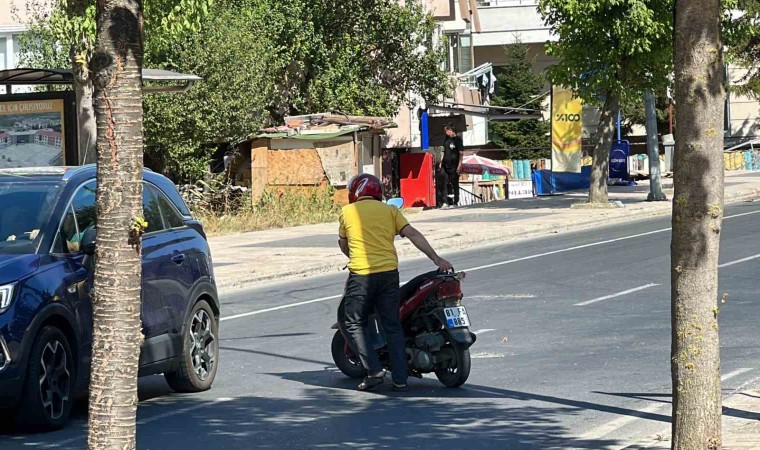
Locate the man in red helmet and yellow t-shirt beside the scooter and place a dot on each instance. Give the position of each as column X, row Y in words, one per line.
column 367, row 231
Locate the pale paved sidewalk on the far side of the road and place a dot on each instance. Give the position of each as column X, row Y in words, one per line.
column 249, row 258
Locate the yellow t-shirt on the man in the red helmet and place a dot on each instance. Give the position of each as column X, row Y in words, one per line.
column 370, row 227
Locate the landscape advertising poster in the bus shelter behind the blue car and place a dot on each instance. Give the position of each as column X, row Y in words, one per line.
column 32, row 133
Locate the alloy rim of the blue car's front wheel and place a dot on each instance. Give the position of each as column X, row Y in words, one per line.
column 55, row 379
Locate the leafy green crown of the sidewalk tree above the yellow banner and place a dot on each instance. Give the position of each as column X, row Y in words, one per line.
column 607, row 46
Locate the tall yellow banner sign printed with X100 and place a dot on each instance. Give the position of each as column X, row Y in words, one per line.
column 567, row 131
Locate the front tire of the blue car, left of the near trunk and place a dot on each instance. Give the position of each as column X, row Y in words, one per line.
column 48, row 392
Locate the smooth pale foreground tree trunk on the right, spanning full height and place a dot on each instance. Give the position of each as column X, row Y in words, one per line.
column 697, row 221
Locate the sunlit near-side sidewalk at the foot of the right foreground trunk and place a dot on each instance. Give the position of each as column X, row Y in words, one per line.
column 741, row 425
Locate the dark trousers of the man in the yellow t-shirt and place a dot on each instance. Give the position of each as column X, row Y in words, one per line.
column 366, row 294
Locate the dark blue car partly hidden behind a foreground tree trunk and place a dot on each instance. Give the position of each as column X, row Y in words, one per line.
column 47, row 242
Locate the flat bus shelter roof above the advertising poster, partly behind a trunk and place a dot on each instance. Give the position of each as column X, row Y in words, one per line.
column 26, row 77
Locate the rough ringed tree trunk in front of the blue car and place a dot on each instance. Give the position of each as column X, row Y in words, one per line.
column 116, row 67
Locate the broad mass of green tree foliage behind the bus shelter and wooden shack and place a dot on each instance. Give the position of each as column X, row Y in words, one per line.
column 261, row 60
